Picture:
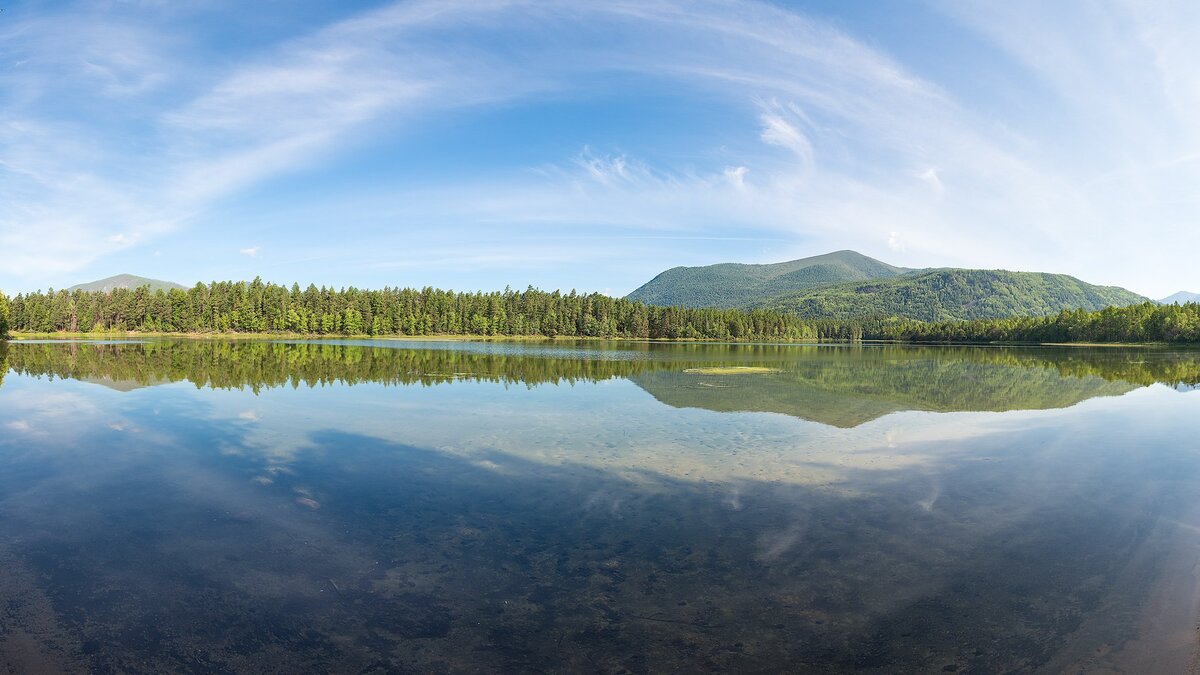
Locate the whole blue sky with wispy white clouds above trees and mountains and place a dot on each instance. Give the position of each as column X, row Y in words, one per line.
column 580, row 145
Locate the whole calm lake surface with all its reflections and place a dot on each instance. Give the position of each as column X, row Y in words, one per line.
column 481, row 507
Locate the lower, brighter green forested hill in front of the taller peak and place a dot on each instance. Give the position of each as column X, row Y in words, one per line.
column 952, row 295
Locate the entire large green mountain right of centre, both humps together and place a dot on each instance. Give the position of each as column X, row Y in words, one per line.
column 849, row 285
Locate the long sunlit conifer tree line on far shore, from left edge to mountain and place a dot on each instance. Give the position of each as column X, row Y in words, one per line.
column 268, row 308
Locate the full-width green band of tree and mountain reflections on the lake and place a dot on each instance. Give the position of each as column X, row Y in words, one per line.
column 842, row 386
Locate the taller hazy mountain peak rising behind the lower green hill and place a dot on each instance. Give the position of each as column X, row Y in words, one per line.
column 735, row 285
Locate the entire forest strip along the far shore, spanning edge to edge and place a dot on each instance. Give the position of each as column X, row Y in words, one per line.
column 231, row 308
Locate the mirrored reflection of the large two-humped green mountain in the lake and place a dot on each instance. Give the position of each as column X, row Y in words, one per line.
column 848, row 395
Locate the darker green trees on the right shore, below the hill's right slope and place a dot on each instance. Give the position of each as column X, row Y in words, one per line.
column 1148, row 322
